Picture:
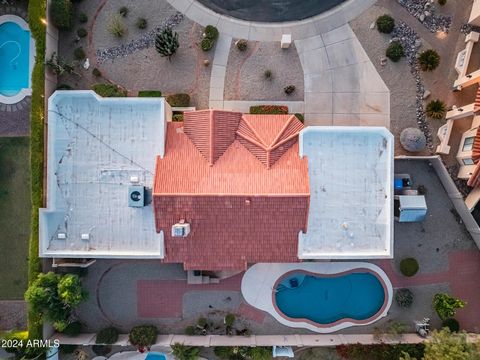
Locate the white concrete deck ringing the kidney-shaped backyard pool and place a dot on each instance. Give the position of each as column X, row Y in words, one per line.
column 260, row 280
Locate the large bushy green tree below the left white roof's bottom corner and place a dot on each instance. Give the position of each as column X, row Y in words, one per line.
column 53, row 297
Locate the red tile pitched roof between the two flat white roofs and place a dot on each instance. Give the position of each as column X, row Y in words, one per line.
column 239, row 211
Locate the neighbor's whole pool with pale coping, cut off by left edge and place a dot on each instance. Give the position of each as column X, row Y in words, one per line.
column 16, row 59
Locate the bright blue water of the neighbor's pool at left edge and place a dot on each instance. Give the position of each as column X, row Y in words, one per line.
column 14, row 58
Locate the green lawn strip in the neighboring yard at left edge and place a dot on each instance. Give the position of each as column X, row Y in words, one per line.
column 15, row 206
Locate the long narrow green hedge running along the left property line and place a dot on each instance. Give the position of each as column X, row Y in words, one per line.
column 36, row 12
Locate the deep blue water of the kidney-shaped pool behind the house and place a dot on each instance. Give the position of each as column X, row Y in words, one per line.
column 325, row 300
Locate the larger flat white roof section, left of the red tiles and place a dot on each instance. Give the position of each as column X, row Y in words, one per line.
column 95, row 146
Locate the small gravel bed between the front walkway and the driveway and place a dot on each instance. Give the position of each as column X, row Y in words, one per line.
column 245, row 78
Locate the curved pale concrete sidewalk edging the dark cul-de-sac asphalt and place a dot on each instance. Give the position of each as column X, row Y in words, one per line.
column 263, row 31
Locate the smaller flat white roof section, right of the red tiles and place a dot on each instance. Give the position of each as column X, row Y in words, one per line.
column 351, row 193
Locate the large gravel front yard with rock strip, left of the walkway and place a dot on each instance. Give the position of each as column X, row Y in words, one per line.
column 132, row 61
